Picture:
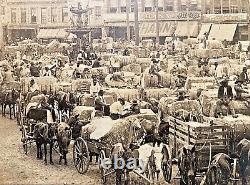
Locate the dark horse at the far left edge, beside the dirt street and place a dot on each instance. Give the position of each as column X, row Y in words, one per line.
column 10, row 99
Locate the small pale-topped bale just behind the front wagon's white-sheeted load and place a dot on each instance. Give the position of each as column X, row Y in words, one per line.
column 85, row 112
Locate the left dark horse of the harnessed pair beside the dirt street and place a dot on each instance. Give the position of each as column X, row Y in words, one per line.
column 44, row 134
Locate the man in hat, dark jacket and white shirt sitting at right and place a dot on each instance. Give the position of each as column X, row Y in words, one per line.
column 225, row 95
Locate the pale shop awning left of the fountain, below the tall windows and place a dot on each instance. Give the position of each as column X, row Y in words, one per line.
column 52, row 34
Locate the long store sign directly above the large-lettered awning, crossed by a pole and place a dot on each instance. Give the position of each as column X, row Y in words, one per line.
column 193, row 15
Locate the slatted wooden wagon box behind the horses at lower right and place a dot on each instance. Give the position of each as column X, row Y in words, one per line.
column 203, row 135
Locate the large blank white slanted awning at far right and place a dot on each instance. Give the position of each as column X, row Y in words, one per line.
column 222, row 32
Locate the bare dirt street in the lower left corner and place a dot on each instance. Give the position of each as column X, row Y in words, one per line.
column 18, row 168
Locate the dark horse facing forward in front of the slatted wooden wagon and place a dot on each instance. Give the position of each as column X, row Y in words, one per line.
column 187, row 162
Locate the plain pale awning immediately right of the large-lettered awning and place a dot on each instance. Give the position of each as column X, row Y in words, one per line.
column 185, row 28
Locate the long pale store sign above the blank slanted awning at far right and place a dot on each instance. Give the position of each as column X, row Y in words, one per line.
column 220, row 18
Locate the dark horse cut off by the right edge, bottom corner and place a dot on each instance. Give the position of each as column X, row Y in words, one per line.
column 243, row 150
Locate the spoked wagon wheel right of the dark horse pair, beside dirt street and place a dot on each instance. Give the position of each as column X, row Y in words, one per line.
column 81, row 155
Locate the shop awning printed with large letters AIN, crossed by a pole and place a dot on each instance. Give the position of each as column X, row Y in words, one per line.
column 148, row 29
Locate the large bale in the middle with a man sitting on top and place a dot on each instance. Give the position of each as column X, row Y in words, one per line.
column 167, row 80
